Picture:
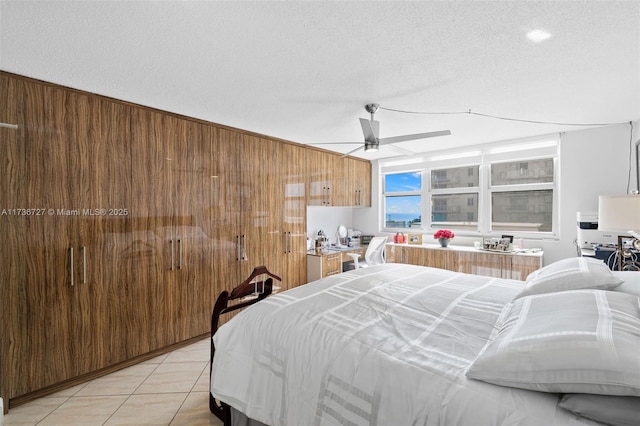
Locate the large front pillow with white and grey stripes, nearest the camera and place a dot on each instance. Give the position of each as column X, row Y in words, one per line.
column 581, row 341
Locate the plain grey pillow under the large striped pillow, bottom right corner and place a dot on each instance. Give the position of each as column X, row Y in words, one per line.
column 613, row 410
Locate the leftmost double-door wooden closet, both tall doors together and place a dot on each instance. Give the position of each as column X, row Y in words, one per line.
column 59, row 164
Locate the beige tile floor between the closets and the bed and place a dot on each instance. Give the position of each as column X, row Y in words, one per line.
column 172, row 389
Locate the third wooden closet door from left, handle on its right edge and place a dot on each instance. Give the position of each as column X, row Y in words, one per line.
column 149, row 263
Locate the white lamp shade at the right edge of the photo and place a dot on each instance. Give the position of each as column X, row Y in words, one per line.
column 619, row 213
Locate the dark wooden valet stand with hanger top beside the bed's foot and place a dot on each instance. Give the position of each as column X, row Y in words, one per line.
column 252, row 291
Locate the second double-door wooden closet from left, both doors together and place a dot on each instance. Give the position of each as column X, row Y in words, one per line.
column 171, row 220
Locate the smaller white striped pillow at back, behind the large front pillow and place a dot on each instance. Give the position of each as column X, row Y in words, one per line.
column 573, row 273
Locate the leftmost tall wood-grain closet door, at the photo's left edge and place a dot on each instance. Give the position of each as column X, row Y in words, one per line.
column 38, row 334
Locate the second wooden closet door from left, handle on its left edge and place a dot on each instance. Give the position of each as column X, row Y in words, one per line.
column 102, row 176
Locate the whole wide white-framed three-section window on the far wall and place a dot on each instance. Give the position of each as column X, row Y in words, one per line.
column 507, row 187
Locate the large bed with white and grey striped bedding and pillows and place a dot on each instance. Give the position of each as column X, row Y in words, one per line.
column 399, row 344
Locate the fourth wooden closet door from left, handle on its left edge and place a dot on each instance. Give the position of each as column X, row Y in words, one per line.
column 195, row 176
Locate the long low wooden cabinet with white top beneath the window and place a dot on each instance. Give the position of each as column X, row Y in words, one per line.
column 514, row 265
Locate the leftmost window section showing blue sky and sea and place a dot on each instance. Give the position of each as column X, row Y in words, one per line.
column 403, row 200
